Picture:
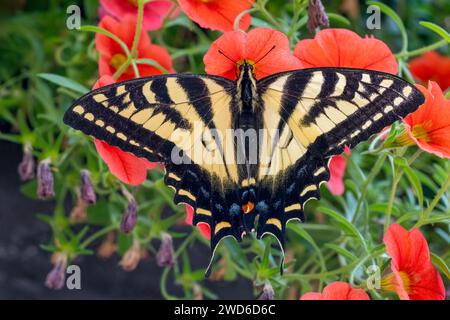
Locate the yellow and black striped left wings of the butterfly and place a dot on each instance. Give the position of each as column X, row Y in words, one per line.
column 168, row 119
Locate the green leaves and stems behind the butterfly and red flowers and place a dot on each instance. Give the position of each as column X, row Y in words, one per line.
column 334, row 244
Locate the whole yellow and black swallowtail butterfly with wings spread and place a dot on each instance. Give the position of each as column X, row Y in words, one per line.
column 246, row 155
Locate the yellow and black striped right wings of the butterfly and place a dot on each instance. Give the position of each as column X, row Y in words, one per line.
column 320, row 111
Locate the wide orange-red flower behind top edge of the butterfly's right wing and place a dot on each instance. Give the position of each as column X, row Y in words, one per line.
column 344, row 48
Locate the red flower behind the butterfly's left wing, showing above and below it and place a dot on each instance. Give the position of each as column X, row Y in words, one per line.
column 125, row 166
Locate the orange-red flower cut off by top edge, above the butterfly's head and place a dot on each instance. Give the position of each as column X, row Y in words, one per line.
column 217, row 14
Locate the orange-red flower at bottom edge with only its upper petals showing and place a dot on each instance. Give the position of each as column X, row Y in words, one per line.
column 337, row 291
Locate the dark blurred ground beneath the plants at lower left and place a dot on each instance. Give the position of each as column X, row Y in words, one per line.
column 24, row 266
